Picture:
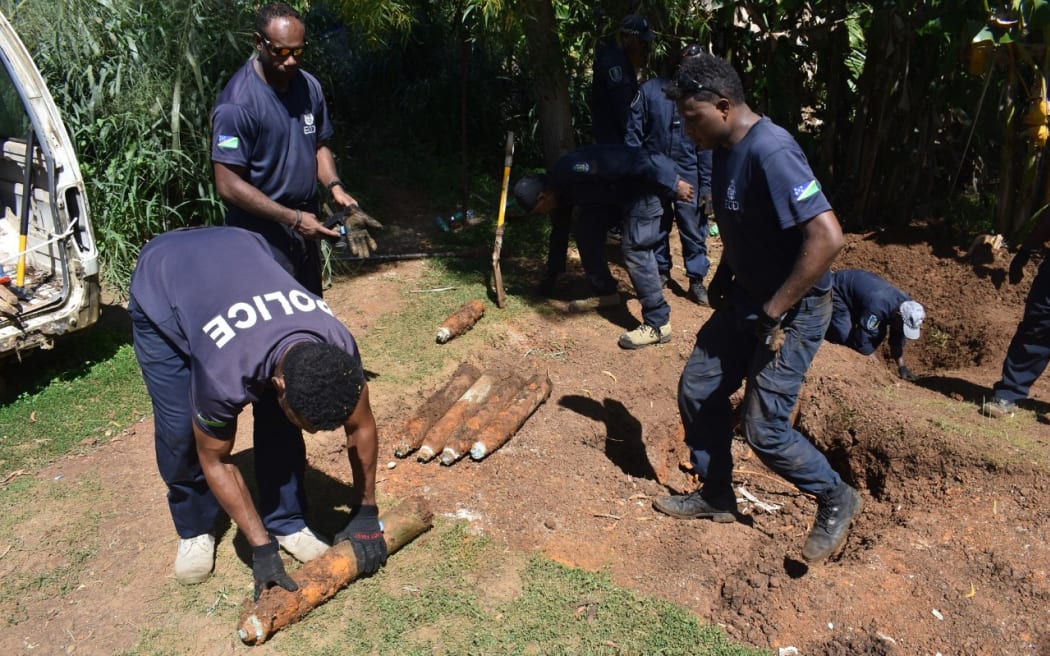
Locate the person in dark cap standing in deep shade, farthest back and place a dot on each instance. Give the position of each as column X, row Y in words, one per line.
column 615, row 78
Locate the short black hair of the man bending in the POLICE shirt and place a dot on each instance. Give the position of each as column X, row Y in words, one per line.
column 323, row 384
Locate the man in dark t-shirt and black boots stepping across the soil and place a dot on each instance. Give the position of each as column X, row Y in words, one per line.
column 772, row 300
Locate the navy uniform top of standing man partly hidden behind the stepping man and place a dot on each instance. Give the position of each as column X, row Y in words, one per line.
column 655, row 124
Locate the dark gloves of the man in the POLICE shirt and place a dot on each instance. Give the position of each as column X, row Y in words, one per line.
column 364, row 532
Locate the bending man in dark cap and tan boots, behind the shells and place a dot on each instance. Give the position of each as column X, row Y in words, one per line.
column 612, row 184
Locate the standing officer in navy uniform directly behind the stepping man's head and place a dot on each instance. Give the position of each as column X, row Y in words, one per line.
column 655, row 124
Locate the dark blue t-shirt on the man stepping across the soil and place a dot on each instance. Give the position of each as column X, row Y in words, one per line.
column 763, row 191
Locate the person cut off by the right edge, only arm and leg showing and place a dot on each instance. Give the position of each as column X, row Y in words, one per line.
column 1030, row 351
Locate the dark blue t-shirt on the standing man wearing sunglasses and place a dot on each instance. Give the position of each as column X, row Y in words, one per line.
column 275, row 137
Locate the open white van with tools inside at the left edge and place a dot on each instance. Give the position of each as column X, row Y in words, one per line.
column 43, row 206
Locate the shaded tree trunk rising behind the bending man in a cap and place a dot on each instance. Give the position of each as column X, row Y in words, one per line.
column 550, row 80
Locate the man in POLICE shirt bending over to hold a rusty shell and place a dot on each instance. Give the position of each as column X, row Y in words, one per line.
column 206, row 353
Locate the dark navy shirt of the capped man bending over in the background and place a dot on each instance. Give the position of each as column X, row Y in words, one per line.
column 612, row 175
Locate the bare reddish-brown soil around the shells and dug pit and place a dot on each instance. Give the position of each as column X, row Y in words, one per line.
column 951, row 555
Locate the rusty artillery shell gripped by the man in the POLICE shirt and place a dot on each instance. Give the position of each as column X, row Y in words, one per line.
column 324, row 577
